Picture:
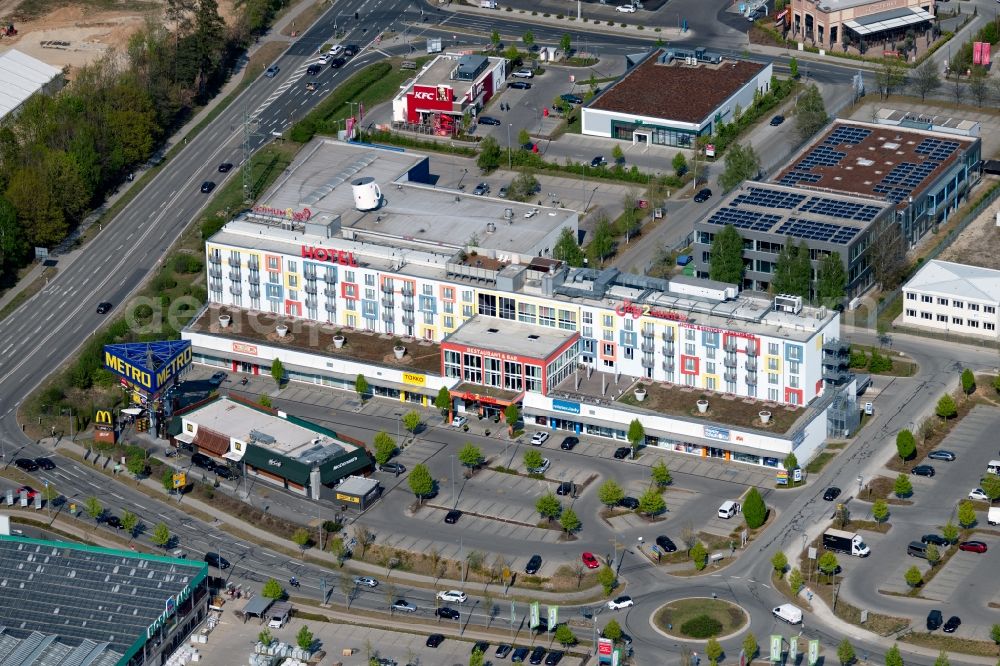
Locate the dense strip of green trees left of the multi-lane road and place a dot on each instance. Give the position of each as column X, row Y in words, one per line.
column 61, row 155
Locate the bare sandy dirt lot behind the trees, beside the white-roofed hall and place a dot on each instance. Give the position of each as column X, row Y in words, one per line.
column 74, row 34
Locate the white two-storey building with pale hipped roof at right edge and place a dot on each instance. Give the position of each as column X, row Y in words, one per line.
column 953, row 298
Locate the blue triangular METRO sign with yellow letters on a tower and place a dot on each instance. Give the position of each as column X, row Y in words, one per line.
column 148, row 365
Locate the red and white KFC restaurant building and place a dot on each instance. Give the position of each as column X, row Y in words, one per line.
column 448, row 88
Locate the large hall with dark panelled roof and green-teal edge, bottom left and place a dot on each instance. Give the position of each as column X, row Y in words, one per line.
column 67, row 603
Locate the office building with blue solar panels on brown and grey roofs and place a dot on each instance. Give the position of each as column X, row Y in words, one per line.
column 841, row 193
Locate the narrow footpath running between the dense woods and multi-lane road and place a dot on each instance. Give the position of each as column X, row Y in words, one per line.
column 68, row 250
